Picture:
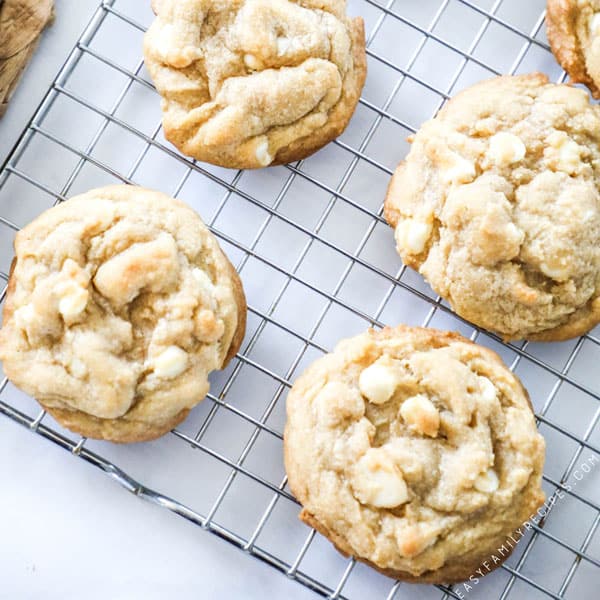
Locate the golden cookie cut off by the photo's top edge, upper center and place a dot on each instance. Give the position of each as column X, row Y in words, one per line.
column 253, row 83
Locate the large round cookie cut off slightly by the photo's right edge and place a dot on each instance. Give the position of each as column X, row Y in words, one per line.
column 497, row 205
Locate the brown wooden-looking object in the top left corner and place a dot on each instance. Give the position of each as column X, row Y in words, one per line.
column 21, row 22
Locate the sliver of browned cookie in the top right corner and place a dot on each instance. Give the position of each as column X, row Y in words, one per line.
column 573, row 28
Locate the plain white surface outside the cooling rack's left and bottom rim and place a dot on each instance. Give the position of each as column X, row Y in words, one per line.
column 66, row 531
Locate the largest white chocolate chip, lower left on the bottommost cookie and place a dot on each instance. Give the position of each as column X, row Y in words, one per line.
column 377, row 481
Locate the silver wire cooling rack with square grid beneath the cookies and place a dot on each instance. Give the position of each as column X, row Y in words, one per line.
column 318, row 264
